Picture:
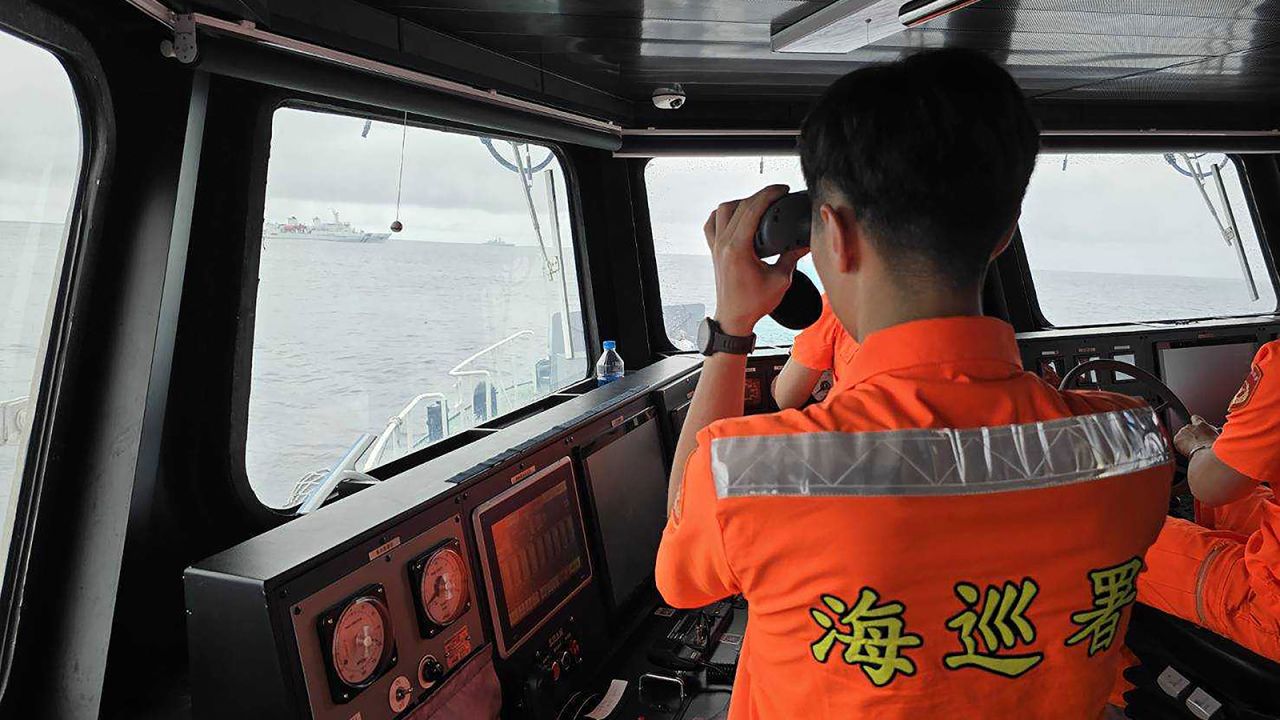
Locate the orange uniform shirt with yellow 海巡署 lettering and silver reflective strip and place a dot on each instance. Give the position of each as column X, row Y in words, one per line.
column 947, row 536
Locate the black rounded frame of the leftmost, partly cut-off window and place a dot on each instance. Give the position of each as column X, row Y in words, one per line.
column 85, row 74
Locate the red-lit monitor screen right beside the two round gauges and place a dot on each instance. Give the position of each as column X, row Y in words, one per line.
column 533, row 552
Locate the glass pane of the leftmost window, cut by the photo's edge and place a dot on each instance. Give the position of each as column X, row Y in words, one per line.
column 42, row 154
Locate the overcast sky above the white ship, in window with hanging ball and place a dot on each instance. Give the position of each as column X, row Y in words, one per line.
column 454, row 190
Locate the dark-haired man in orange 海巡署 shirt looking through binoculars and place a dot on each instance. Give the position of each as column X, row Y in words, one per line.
column 948, row 536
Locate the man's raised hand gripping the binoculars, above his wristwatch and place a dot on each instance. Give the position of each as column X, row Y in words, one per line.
column 747, row 289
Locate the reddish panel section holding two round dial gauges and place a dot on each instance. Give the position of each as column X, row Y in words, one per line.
column 380, row 640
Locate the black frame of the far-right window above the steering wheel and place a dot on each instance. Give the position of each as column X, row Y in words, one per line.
column 1018, row 253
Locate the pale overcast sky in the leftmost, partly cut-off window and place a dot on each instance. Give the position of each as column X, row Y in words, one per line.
column 39, row 135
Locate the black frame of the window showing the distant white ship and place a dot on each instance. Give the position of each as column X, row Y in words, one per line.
column 244, row 352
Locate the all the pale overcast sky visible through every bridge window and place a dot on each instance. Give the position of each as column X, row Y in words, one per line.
column 1104, row 213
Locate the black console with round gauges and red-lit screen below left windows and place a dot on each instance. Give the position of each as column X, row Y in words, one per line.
column 478, row 569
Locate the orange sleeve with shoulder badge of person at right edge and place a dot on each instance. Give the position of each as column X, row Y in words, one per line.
column 1250, row 440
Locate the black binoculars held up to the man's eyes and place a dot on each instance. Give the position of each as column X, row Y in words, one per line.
column 785, row 227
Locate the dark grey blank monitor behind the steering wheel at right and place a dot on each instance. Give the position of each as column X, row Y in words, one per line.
column 1206, row 377
